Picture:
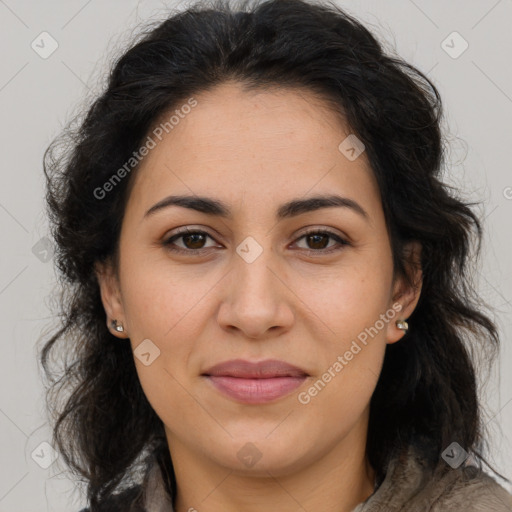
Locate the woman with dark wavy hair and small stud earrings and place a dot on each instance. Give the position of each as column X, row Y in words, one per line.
column 268, row 294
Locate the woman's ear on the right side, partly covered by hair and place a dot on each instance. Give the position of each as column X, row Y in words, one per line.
column 404, row 294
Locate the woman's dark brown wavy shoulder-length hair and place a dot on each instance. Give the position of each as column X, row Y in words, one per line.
column 427, row 394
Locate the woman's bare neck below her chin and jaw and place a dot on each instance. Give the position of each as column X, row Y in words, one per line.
column 336, row 482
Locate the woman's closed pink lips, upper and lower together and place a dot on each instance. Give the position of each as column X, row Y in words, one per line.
column 255, row 383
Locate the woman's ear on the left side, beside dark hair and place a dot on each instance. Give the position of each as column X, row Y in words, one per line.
column 111, row 297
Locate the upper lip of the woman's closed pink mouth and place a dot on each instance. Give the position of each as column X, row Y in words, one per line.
column 260, row 370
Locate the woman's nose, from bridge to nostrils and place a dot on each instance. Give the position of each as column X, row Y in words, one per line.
column 257, row 299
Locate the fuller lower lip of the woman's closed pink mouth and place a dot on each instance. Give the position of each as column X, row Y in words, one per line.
column 255, row 391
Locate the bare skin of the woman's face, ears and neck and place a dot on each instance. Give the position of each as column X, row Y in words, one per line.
column 255, row 151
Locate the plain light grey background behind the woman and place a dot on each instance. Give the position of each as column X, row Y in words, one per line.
column 37, row 97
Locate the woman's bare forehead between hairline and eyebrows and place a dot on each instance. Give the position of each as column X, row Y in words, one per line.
column 263, row 145
